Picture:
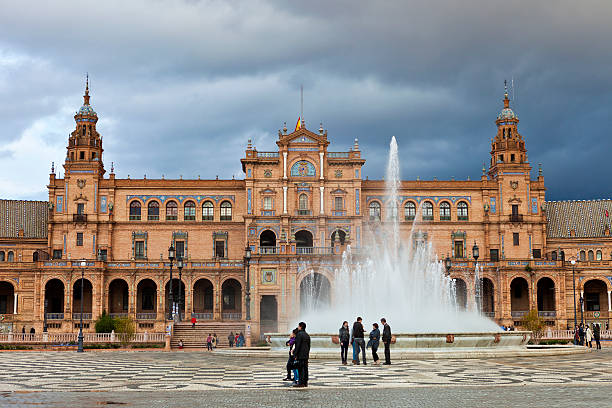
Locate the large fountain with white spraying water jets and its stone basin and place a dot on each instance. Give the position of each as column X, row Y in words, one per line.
column 396, row 276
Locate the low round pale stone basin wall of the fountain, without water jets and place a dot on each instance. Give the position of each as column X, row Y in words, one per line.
column 411, row 345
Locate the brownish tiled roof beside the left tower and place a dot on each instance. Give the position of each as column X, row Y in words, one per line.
column 31, row 216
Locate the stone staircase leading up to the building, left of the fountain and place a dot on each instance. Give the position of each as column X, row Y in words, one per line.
column 196, row 337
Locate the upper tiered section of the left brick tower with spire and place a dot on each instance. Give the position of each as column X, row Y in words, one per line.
column 84, row 150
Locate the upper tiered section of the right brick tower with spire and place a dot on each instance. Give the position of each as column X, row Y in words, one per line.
column 508, row 147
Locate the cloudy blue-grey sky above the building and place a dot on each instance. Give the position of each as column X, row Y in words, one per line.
column 180, row 86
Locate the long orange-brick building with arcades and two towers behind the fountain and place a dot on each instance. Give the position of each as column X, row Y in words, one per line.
column 300, row 203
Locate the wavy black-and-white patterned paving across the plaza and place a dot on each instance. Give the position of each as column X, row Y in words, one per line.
column 154, row 370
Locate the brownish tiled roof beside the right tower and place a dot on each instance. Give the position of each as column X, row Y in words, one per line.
column 587, row 218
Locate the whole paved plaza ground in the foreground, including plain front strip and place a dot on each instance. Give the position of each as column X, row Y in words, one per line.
column 198, row 378
